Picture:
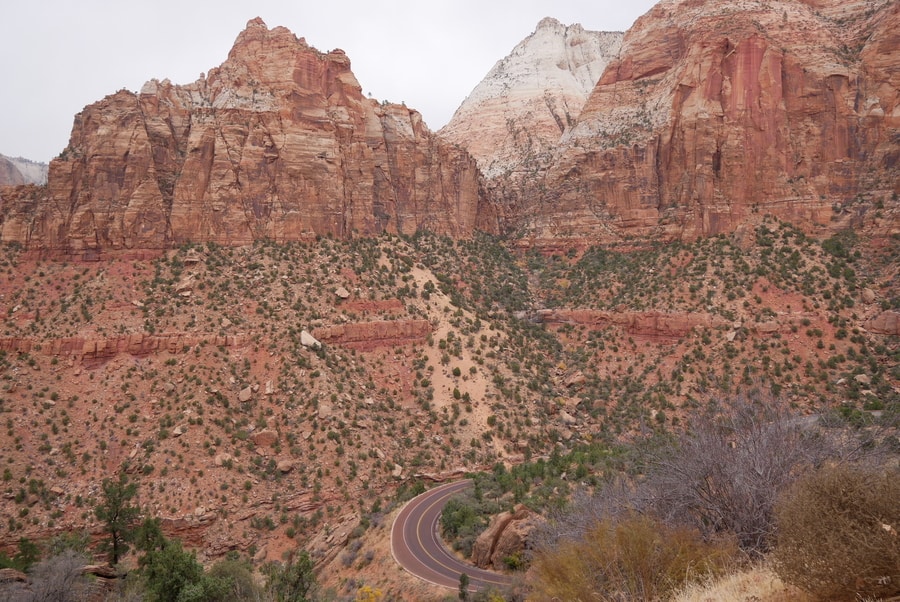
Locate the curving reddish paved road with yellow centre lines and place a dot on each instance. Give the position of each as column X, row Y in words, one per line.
column 417, row 546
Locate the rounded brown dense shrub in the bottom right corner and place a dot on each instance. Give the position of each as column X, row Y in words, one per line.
column 838, row 533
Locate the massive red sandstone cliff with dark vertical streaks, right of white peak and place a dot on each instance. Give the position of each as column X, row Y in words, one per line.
column 716, row 111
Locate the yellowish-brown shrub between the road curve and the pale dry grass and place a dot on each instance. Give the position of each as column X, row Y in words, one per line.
column 633, row 557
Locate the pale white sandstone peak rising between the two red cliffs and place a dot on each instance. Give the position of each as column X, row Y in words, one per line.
column 528, row 99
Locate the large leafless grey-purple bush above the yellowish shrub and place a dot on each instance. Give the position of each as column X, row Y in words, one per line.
column 729, row 468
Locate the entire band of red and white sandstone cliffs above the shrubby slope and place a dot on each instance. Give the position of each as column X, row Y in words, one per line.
column 707, row 115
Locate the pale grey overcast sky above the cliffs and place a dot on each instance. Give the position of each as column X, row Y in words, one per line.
column 61, row 55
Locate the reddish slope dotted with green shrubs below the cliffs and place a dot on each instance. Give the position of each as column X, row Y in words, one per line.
column 277, row 395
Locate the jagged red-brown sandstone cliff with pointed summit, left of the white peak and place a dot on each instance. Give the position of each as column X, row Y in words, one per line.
column 278, row 142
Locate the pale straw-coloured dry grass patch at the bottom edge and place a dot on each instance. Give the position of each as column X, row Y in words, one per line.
column 759, row 584
